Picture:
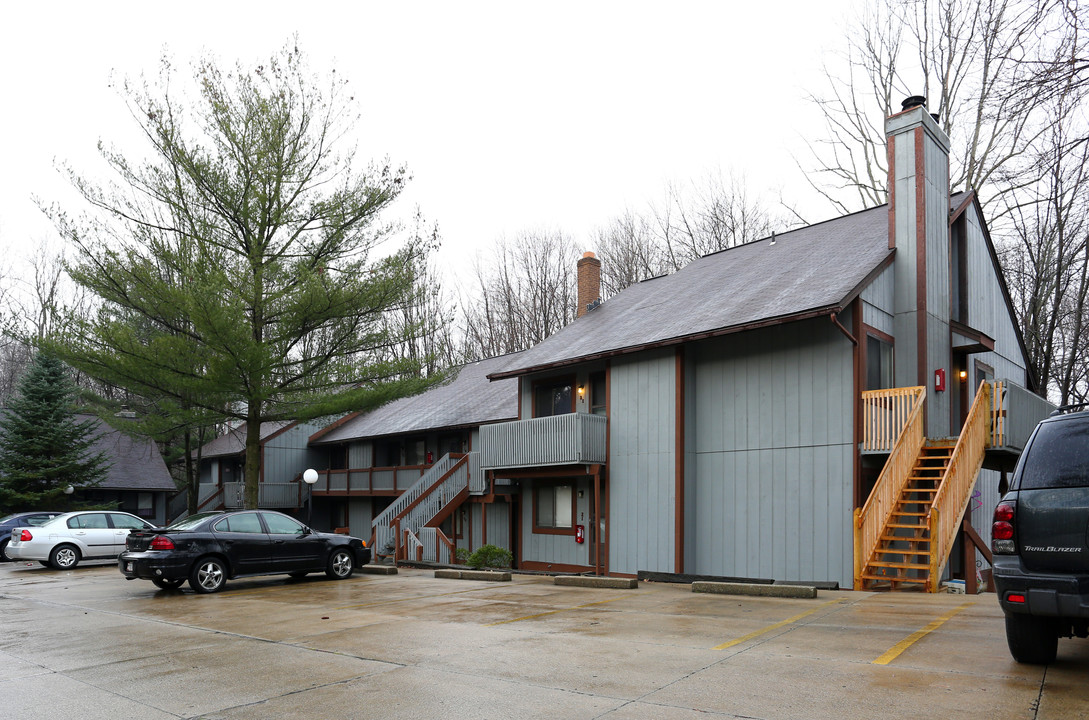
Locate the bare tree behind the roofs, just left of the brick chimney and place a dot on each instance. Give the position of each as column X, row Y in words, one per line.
column 524, row 292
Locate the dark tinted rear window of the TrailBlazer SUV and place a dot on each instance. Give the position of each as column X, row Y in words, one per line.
column 1059, row 457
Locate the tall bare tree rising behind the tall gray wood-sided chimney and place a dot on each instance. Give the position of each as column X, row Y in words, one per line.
column 966, row 58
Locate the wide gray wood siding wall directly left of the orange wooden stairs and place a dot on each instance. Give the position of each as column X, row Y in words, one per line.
column 774, row 443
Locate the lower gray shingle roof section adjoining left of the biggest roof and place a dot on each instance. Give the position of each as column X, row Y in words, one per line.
column 466, row 401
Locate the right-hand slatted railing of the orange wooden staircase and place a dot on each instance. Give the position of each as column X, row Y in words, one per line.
column 955, row 492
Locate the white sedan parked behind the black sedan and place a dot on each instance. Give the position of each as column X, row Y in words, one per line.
column 67, row 540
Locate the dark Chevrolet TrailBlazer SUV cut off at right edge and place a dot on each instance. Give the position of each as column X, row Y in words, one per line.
column 1041, row 540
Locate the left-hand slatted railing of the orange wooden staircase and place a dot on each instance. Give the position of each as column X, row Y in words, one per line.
column 872, row 519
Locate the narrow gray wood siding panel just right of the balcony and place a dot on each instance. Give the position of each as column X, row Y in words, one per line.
column 642, row 462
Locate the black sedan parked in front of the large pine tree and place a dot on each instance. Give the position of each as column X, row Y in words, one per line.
column 210, row 548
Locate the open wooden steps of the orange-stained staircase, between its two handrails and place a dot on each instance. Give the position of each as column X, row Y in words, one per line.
column 903, row 553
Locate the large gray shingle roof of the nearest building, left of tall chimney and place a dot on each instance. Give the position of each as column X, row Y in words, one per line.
column 813, row 271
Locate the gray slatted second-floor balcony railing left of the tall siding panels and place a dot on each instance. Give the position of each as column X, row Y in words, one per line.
column 571, row 440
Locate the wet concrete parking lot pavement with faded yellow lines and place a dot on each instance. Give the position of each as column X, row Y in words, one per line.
column 87, row 644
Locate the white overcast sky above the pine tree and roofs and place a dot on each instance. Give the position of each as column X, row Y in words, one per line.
column 510, row 116
